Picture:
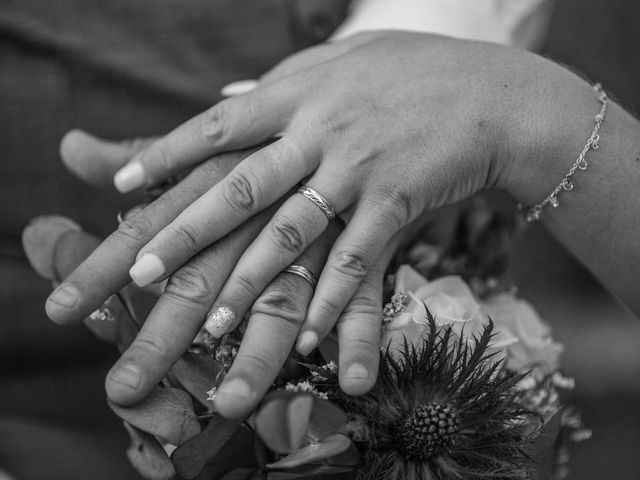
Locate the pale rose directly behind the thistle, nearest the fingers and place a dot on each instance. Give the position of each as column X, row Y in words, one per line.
column 449, row 300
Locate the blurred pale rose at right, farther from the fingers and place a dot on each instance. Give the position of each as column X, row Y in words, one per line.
column 535, row 348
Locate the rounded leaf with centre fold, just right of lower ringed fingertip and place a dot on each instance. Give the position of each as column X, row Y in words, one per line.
column 282, row 420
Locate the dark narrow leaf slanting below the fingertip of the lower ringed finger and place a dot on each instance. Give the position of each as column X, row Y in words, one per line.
column 192, row 456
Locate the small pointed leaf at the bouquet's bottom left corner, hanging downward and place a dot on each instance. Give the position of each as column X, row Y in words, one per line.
column 147, row 455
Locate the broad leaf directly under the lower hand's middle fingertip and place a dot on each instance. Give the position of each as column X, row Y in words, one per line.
column 165, row 412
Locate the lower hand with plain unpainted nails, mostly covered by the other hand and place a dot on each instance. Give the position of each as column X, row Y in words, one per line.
column 179, row 313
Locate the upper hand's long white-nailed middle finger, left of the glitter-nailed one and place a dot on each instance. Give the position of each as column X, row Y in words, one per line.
column 256, row 183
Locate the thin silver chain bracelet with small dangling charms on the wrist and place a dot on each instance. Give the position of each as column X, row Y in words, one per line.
column 533, row 213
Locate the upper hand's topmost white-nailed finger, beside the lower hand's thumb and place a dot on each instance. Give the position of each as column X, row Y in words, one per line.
column 234, row 123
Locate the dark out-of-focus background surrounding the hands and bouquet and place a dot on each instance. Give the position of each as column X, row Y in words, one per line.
column 60, row 71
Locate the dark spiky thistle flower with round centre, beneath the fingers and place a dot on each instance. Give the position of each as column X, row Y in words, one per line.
column 444, row 411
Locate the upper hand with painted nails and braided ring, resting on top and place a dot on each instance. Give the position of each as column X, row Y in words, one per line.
column 384, row 128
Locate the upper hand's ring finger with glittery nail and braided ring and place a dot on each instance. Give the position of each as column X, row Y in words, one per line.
column 292, row 229
